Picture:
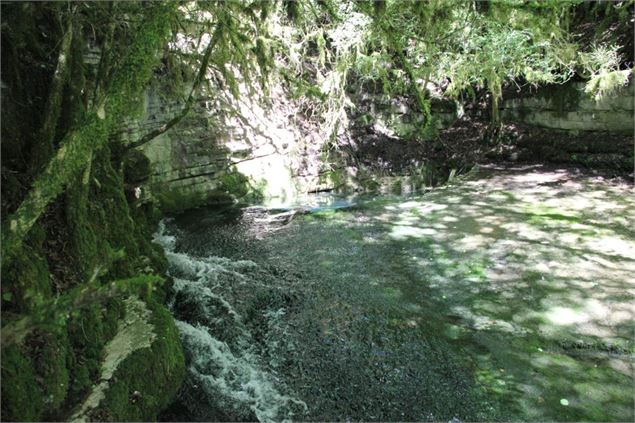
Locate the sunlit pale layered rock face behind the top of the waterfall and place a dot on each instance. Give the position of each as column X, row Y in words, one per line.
column 227, row 148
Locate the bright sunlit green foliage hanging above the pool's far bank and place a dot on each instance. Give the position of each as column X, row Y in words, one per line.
column 413, row 48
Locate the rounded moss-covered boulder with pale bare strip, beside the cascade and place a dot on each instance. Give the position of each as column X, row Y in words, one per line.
column 142, row 368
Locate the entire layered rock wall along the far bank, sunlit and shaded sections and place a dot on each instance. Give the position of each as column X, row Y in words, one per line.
column 247, row 148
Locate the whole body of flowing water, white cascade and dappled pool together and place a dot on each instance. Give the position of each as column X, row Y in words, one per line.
column 507, row 296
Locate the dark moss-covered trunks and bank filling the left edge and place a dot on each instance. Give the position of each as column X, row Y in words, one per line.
column 75, row 216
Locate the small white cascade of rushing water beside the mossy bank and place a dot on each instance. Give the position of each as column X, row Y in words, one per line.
column 226, row 375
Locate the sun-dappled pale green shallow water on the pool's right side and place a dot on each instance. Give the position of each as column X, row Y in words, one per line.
column 537, row 258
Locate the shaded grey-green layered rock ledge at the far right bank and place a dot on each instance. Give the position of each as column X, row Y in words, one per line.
column 563, row 124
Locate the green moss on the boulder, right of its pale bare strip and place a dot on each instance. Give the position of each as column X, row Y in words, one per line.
column 149, row 378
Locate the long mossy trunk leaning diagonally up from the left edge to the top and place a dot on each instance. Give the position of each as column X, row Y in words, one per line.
column 77, row 147
